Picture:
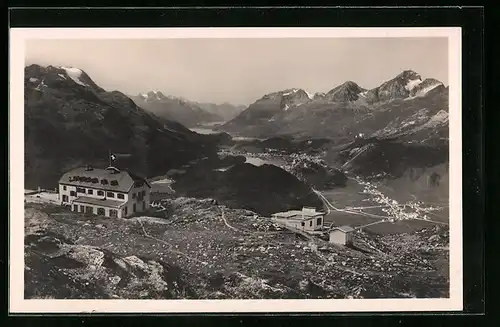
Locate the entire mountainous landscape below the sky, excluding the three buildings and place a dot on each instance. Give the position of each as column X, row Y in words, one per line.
column 375, row 160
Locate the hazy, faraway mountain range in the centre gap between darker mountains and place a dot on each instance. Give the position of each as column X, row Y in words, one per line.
column 188, row 113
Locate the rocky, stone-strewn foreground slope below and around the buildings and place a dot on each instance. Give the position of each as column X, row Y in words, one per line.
column 204, row 251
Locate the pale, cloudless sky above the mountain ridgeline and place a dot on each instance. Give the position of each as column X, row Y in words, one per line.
column 240, row 71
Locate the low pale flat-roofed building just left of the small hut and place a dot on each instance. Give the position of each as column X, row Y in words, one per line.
column 307, row 219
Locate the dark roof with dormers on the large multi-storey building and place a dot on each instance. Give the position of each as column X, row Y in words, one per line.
column 106, row 179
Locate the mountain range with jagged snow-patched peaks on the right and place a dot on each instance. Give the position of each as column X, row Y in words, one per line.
column 343, row 112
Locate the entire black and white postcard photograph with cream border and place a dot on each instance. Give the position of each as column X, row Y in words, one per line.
column 172, row 169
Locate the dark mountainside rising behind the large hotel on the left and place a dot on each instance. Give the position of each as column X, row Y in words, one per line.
column 71, row 121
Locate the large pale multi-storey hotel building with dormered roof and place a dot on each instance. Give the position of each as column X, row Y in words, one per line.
column 105, row 192
